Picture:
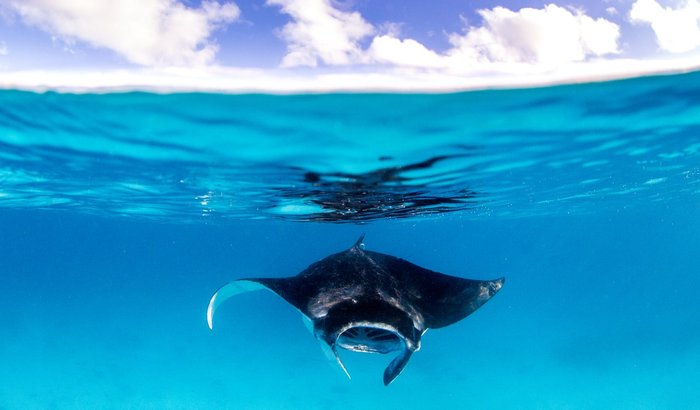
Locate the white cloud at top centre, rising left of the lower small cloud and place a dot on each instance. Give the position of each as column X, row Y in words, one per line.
column 321, row 32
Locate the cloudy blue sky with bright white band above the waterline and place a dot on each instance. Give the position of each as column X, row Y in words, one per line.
column 289, row 45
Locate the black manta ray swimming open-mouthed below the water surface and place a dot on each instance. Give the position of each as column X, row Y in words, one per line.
column 370, row 302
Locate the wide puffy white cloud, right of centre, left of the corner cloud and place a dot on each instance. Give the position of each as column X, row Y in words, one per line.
column 551, row 35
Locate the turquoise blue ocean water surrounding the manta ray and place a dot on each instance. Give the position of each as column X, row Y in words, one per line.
column 121, row 213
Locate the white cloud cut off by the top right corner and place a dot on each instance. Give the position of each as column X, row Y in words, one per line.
column 677, row 30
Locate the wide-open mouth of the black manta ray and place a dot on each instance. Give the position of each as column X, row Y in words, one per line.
column 370, row 338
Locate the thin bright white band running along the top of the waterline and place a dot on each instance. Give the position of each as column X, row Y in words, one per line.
column 283, row 81
